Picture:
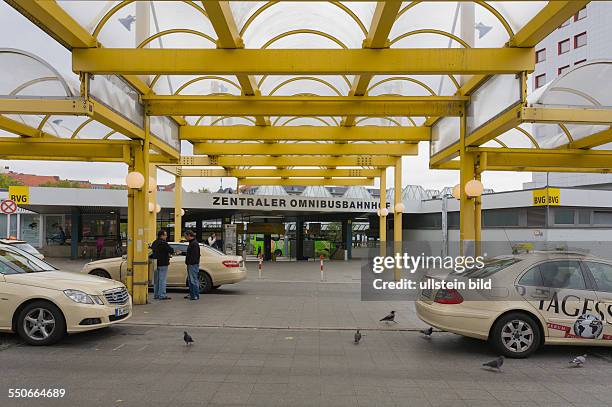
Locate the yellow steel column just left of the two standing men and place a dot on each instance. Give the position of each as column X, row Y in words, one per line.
column 141, row 224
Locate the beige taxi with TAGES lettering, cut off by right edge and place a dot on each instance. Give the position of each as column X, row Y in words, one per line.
column 536, row 298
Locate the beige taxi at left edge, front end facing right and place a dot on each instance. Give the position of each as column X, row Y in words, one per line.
column 42, row 303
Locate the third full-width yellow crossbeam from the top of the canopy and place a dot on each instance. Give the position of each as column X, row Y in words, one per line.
column 305, row 133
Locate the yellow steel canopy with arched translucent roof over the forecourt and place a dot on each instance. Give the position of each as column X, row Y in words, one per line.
column 284, row 93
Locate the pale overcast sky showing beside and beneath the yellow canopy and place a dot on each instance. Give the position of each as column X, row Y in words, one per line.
column 18, row 32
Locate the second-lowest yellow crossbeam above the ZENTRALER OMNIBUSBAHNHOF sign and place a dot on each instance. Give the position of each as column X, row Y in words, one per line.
column 264, row 172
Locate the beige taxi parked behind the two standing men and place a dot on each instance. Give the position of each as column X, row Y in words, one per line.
column 216, row 268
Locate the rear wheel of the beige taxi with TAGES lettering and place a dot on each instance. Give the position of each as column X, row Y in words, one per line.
column 516, row 335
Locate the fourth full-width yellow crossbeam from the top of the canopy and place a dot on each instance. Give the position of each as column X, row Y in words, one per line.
column 395, row 149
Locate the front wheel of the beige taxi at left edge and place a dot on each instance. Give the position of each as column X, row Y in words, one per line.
column 41, row 323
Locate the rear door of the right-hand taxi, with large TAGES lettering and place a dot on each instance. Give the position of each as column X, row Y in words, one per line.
column 563, row 296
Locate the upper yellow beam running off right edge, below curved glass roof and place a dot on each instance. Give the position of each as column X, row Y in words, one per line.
column 575, row 114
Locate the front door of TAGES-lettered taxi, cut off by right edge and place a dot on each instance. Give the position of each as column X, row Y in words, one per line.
column 602, row 279
